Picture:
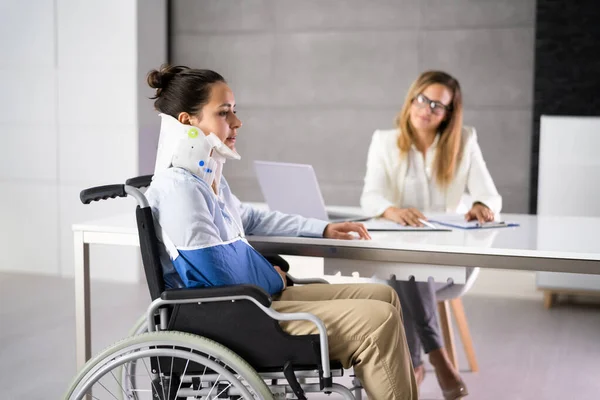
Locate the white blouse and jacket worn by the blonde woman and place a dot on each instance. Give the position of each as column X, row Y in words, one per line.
column 393, row 179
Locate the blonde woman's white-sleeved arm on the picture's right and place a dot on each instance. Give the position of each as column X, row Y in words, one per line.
column 479, row 182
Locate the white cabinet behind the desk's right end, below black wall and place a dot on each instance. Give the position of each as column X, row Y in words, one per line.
column 568, row 184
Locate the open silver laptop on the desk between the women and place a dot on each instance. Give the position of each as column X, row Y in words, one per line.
column 294, row 189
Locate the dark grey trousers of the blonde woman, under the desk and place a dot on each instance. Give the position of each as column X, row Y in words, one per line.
column 419, row 308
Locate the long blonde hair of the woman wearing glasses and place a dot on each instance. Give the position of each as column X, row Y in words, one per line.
column 449, row 145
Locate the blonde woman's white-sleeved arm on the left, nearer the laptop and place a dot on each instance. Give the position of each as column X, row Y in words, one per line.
column 374, row 200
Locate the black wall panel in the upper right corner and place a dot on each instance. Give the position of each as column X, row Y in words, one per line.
column 567, row 66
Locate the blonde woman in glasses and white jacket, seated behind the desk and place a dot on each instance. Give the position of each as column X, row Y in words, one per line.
column 425, row 165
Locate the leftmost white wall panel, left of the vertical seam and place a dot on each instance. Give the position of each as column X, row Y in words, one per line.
column 29, row 136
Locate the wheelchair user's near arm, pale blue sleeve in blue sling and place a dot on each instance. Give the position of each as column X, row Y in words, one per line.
column 203, row 257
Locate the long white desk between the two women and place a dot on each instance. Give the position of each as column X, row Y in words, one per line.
column 556, row 244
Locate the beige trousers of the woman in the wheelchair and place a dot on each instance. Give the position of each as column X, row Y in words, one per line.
column 364, row 328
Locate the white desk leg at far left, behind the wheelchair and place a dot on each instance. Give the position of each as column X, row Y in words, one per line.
column 83, row 350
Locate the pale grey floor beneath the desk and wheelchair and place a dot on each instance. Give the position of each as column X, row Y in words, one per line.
column 524, row 351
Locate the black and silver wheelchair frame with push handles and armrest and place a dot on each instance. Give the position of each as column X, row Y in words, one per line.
column 159, row 314
